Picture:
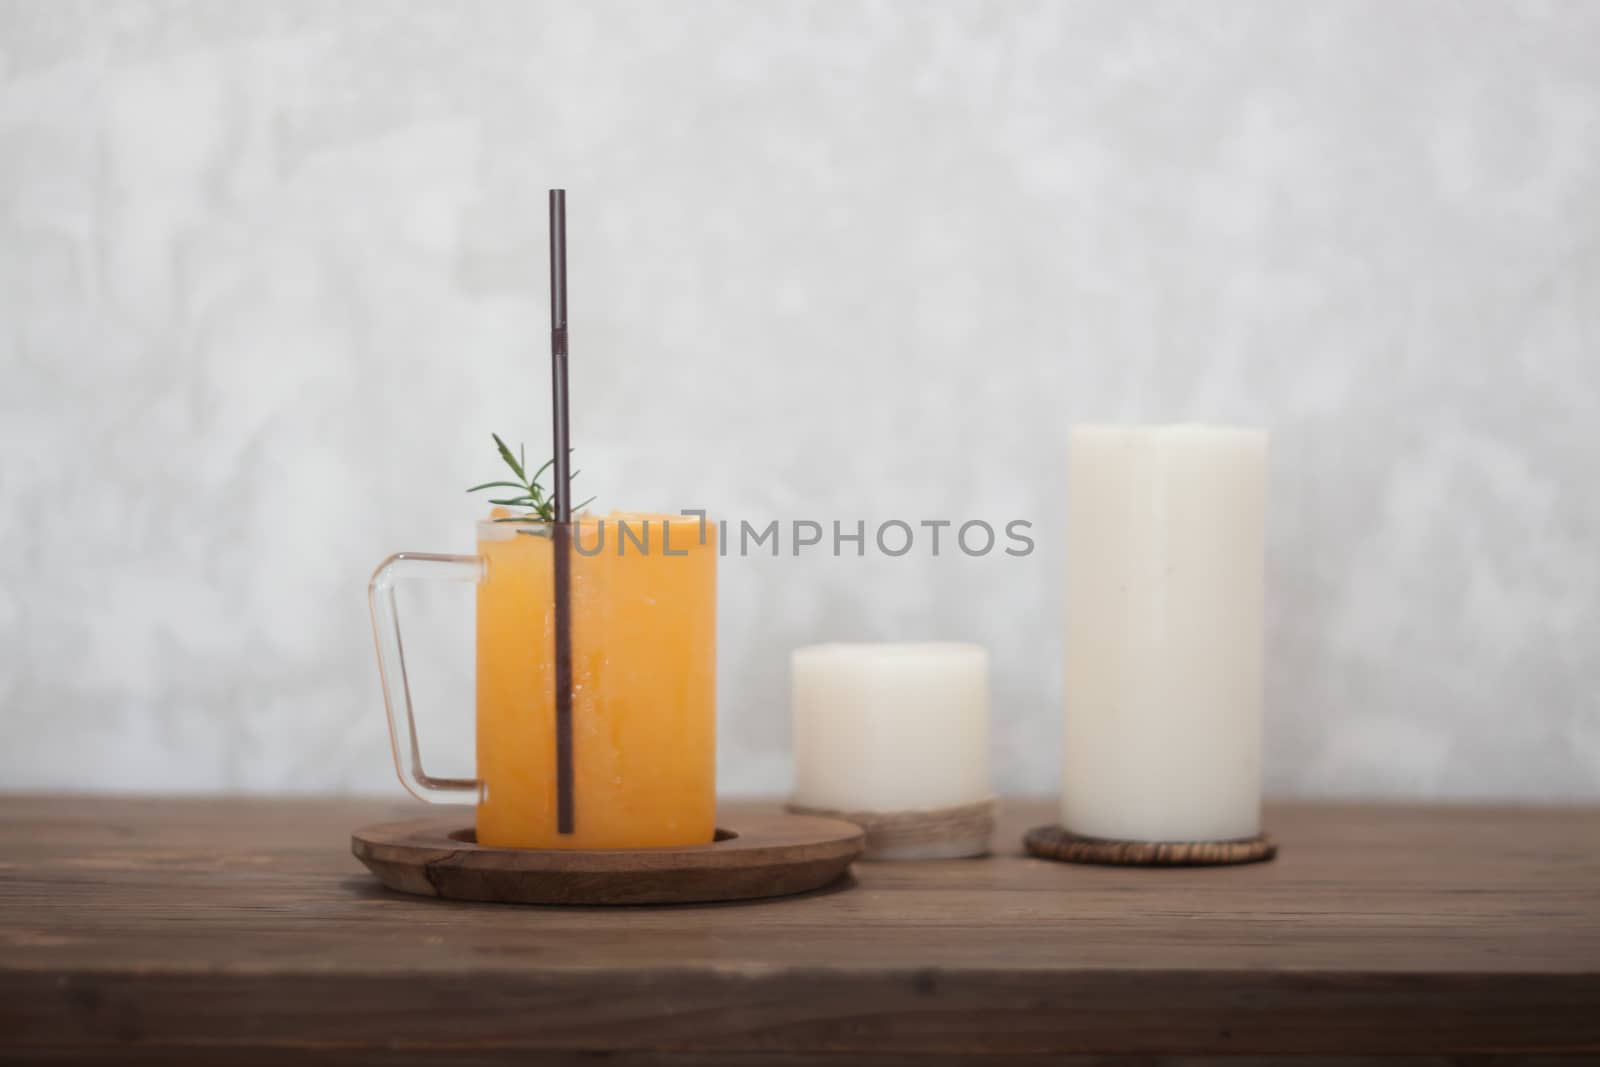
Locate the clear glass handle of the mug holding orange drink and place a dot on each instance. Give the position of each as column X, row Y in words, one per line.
column 391, row 665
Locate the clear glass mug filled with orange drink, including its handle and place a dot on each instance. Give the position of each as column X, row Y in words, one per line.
column 644, row 682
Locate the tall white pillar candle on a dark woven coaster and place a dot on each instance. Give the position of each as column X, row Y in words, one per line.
column 1166, row 588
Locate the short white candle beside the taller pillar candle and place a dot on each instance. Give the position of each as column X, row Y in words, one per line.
column 890, row 729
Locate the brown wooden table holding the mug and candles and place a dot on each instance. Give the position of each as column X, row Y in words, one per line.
column 244, row 932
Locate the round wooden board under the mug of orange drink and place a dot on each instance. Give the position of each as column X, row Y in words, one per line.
column 759, row 855
